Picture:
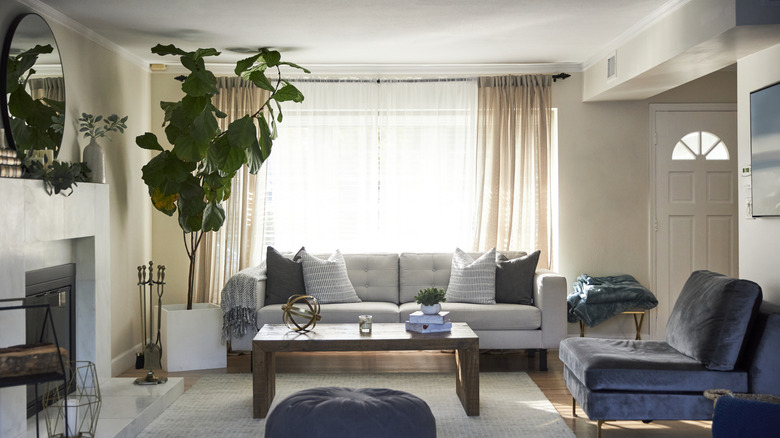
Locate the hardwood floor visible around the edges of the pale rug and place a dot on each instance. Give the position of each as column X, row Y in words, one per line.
column 550, row 382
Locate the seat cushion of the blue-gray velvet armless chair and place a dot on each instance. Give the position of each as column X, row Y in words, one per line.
column 642, row 366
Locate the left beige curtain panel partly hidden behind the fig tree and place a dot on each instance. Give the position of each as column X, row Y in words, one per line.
column 227, row 251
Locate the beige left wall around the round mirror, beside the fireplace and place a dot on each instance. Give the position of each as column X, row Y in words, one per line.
column 98, row 81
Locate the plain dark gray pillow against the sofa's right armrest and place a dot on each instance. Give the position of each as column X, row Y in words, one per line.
column 515, row 279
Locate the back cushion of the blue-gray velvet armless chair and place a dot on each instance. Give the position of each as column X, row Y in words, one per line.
column 711, row 317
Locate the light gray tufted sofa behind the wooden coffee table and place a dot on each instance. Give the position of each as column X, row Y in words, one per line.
column 387, row 284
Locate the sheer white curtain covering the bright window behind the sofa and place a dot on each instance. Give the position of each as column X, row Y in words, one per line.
column 364, row 165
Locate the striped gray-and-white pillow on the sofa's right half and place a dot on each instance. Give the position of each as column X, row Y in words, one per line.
column 472, row 281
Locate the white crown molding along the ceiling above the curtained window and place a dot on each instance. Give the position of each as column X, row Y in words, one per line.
column 438, row 70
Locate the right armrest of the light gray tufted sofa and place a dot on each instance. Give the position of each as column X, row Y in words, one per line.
column 550, row 298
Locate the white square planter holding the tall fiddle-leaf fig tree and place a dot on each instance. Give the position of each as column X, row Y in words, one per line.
column 192, row 339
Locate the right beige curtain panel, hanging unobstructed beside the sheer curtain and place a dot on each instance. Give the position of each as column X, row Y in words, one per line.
column 513, row 164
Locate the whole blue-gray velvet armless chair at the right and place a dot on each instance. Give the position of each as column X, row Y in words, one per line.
column 717, row 338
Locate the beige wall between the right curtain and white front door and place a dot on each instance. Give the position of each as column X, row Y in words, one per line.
column 603, row 155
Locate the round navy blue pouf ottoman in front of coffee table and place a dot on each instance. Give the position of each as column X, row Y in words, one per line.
column 347, row 412
